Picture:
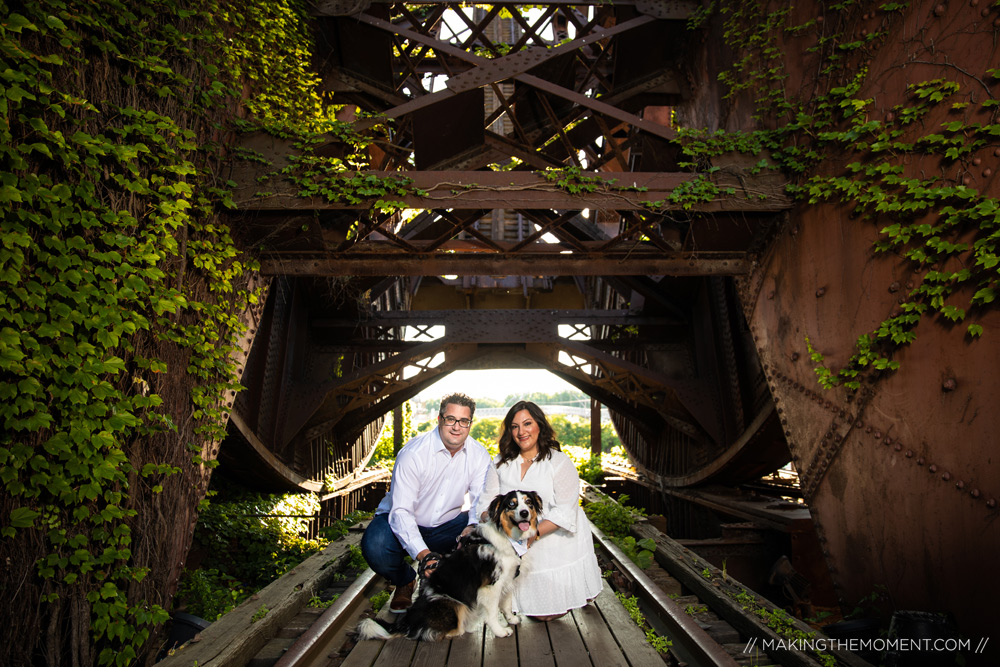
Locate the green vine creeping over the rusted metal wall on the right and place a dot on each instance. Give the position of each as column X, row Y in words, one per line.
column 928, row 212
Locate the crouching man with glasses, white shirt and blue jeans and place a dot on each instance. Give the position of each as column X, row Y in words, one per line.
column 423, row 511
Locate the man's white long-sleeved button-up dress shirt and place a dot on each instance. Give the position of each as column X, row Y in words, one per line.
column 429, row 486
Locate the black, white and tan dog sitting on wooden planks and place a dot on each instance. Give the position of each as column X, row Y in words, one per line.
column 473, row 582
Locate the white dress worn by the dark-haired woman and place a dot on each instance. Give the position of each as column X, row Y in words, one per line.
column 560, row 571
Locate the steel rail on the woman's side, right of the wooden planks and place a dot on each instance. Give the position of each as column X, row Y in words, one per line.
column 690, row 641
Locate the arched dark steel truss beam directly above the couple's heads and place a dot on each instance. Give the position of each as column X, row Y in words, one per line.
column 532, row 334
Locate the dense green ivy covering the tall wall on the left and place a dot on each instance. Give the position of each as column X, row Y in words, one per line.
column 120, row 295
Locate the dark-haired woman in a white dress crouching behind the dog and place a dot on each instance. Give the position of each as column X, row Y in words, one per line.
column 559, row 571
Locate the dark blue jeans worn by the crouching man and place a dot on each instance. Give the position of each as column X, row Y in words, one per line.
column 384, row 553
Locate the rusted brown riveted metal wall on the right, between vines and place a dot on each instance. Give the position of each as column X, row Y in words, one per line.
column 902, row 477
